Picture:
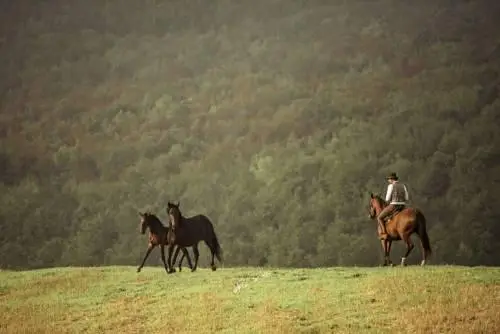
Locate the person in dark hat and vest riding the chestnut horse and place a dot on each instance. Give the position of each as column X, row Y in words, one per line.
column 396, row 197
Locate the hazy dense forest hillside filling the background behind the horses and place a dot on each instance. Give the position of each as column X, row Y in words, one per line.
column 274, row 118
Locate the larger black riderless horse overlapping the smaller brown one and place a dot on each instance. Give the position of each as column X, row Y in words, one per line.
column 189, row 231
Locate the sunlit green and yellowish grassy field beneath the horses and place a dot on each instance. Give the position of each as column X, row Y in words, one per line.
column 434, row 299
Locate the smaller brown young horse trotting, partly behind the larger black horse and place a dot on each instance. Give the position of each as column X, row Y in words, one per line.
column 158, row 237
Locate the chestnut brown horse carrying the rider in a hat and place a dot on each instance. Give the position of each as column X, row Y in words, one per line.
column 400, row 226
